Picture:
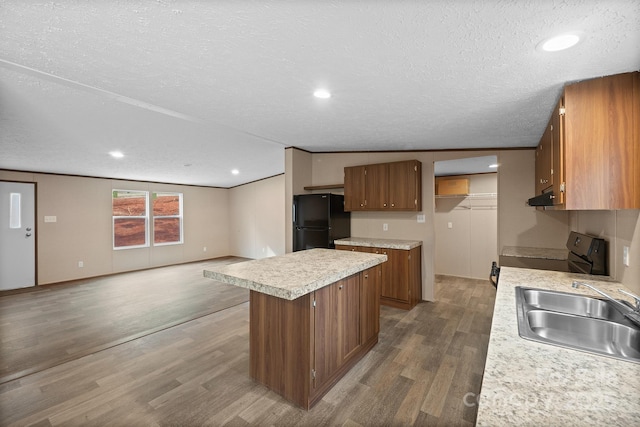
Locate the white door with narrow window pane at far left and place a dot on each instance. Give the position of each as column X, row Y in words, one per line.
column 17, row 235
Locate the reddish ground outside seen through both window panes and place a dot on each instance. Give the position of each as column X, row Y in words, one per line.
column 130, row 227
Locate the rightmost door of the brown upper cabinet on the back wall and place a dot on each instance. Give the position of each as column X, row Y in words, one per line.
column 405, row 186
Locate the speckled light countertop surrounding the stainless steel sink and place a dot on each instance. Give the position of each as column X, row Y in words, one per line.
column 530, row 383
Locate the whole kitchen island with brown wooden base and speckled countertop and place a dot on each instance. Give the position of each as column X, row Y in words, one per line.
column 313, row 315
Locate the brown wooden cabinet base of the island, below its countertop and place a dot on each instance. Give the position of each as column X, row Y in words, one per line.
column 300, row 348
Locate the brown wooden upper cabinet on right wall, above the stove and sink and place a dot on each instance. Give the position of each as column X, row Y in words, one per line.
column 589, row 154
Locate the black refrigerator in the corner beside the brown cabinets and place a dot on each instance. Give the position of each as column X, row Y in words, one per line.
column 318, row 220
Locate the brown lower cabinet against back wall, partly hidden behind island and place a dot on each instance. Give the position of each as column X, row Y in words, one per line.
column 401, row 281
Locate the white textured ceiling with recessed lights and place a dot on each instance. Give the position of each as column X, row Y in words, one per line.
column 228, row 84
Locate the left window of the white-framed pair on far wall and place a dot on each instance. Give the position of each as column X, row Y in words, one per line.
column 130, row 219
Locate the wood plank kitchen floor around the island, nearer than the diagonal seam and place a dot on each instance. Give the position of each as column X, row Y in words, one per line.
column 196, row 373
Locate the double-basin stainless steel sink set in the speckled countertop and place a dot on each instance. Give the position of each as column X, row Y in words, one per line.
column 578, row 322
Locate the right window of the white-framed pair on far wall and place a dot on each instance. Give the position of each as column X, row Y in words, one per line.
column 167, row 218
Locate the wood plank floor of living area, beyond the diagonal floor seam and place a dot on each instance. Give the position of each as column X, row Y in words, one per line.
column 50, row 325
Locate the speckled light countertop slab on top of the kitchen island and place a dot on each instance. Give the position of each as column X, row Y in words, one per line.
column 295, row 274
